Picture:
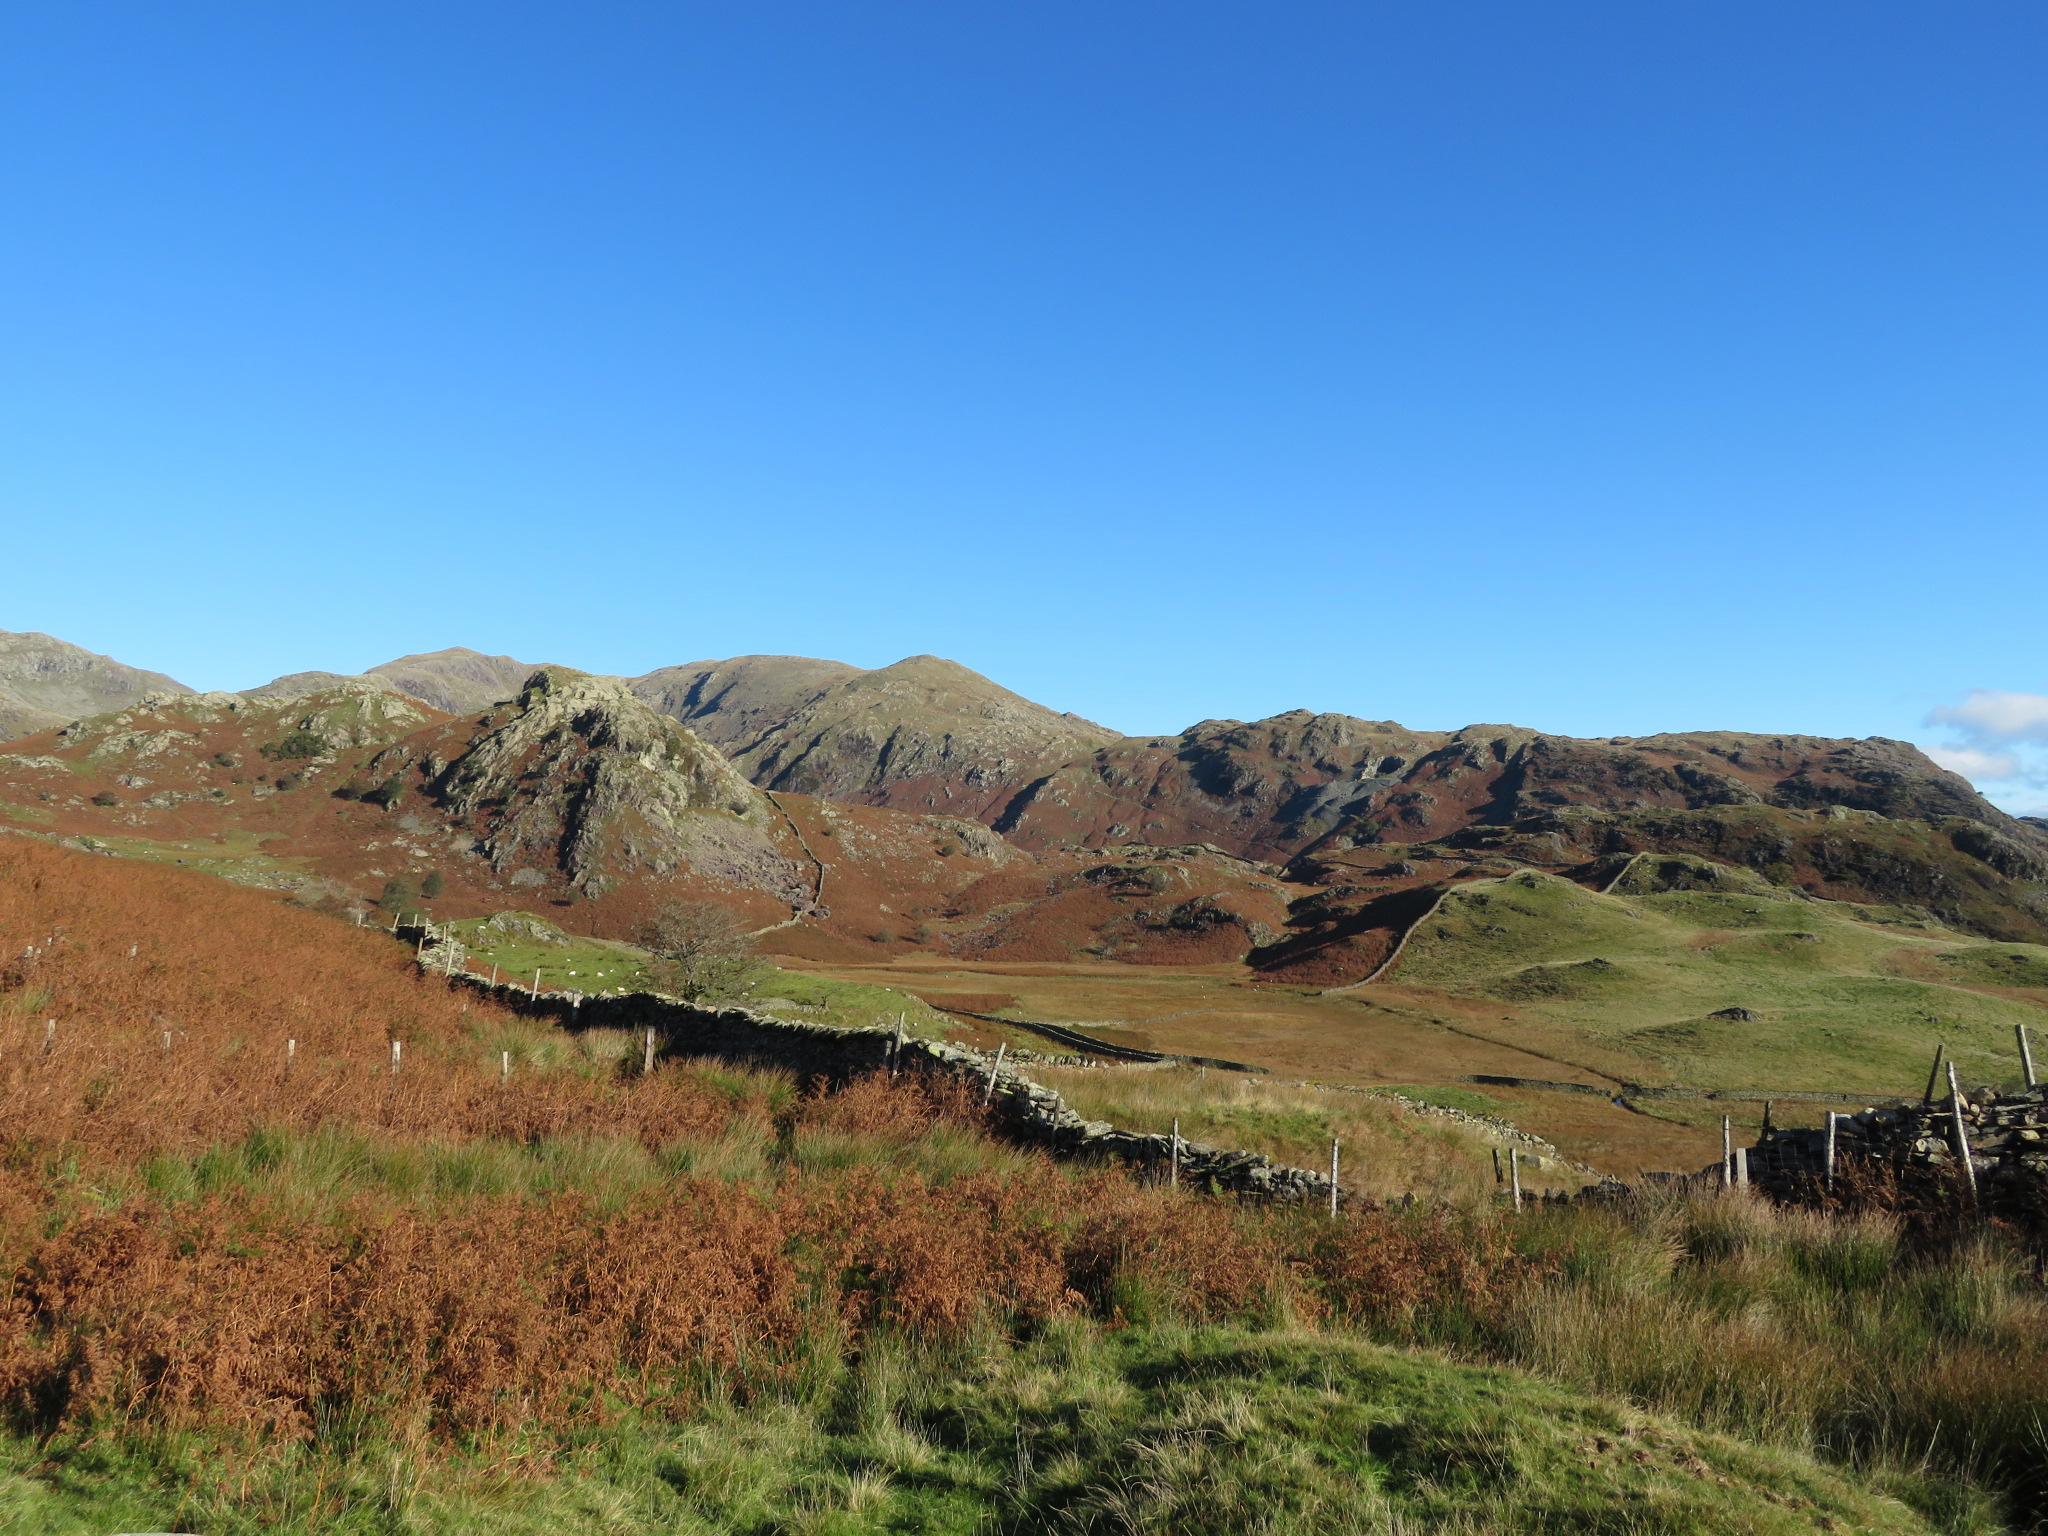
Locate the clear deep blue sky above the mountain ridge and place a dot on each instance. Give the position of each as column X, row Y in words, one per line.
column 1594, row 368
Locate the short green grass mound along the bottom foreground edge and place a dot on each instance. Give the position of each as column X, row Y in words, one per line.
column 1197, row 1433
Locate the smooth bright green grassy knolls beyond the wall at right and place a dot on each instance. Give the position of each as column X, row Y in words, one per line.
column 1846, row 1002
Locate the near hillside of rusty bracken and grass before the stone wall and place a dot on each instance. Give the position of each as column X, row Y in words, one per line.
column 593, row 1299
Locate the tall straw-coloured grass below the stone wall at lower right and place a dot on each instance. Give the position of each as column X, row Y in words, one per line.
column 1830, row 1332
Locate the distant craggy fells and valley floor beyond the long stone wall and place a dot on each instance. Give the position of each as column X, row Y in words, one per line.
column 1330, row 898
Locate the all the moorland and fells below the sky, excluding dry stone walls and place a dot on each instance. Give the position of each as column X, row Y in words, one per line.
column 329, row 1293
